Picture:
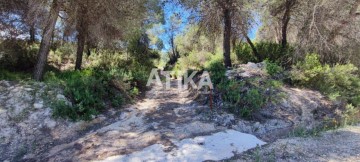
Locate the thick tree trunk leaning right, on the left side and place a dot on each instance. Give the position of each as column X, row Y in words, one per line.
column 46, row 41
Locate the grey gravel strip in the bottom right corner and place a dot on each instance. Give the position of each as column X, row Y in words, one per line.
column 335, row 145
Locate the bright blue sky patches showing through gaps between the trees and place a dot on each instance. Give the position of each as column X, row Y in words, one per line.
column 172, row 8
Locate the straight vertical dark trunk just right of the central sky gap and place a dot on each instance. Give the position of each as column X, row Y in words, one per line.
column 227, row 38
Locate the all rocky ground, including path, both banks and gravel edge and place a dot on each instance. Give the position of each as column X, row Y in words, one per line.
column 165, row 125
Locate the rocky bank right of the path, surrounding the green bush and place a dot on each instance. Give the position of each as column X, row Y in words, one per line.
column 292, row 107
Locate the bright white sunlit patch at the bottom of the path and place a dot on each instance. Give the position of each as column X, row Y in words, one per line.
column 218, row 146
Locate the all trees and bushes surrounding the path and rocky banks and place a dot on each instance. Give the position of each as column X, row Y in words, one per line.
column 101, row 53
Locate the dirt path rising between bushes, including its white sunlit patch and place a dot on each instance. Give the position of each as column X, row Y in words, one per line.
column 162, row 127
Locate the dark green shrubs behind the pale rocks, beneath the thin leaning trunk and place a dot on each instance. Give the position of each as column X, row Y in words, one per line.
column 267, row 51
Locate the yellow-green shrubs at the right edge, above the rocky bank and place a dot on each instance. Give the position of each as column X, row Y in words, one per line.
column 339, row 82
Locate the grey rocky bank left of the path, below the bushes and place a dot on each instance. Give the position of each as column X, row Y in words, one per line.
column 27, row 127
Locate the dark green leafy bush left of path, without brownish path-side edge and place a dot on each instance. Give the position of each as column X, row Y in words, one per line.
column 88, row 90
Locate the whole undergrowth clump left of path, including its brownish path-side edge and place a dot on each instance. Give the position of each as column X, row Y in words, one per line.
column 93, row 91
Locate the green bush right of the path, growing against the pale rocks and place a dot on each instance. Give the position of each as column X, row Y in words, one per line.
column 244, row 97
